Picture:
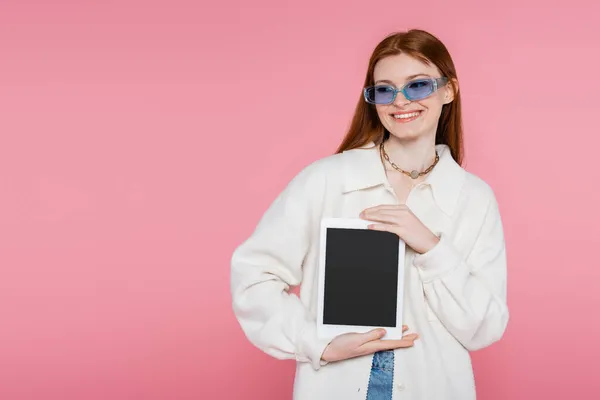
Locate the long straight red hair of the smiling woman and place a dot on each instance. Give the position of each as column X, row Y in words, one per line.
column 366, row 126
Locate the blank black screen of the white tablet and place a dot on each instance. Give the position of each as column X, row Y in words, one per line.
column 361, row 277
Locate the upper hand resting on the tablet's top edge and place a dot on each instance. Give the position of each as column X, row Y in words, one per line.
column 399, row 219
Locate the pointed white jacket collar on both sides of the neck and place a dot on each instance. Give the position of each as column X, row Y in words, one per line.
column 363, row 169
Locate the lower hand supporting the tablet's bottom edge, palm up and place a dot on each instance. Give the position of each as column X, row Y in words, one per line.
column 349, row 345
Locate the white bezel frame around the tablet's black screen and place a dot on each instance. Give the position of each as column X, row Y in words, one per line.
column 326, row 331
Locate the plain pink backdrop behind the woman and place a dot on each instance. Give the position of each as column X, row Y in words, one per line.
column 142, row 140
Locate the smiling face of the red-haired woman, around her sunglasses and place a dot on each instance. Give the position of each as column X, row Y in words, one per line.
column 404, row 119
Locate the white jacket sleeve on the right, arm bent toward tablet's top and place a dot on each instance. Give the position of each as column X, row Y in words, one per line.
column 468, row 294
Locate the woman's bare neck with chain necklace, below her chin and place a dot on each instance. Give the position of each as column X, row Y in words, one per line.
column 417, row 154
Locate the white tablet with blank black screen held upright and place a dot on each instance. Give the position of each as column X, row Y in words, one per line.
column 361, row 279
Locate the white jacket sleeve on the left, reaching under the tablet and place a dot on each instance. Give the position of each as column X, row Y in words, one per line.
column 270, row 261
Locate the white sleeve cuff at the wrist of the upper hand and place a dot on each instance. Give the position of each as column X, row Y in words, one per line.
column 438, row 261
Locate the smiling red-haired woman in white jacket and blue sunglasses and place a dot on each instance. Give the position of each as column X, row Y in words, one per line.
column 399, row 167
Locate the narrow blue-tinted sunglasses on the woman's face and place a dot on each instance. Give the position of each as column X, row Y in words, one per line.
column 413, row 90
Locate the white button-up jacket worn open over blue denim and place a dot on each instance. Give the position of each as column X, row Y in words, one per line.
column 455, row 295
